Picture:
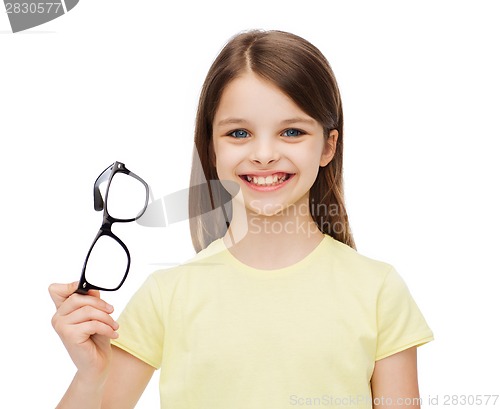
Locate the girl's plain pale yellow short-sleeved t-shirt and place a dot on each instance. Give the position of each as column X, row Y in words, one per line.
column 230, row 336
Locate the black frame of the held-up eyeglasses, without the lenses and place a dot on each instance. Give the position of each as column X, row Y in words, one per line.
column 100, row 204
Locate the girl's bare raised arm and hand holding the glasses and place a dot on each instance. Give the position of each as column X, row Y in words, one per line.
column 107, row 377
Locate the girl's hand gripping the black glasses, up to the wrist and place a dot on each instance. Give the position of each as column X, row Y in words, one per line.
column 85, row 327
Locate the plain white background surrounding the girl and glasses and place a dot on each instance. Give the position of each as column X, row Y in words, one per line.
column 119, row 80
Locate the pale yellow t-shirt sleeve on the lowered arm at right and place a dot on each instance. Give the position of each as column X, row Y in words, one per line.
column 400, row 323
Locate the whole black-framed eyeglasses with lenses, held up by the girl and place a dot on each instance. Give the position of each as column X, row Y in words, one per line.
column 125, row 200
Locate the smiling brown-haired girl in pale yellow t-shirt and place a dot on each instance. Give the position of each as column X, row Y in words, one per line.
column 277, row 309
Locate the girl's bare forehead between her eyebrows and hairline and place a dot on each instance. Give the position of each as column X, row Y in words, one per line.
column 252, row 98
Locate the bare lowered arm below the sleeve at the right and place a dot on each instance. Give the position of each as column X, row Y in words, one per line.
column 395, row 383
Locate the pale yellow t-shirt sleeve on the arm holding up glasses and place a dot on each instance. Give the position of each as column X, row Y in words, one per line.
column 141, row 329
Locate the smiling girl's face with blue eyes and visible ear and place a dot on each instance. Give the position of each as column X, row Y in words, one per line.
column 264, row 142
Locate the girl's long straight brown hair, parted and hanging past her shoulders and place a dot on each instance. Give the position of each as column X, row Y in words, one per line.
column 301, row 71
